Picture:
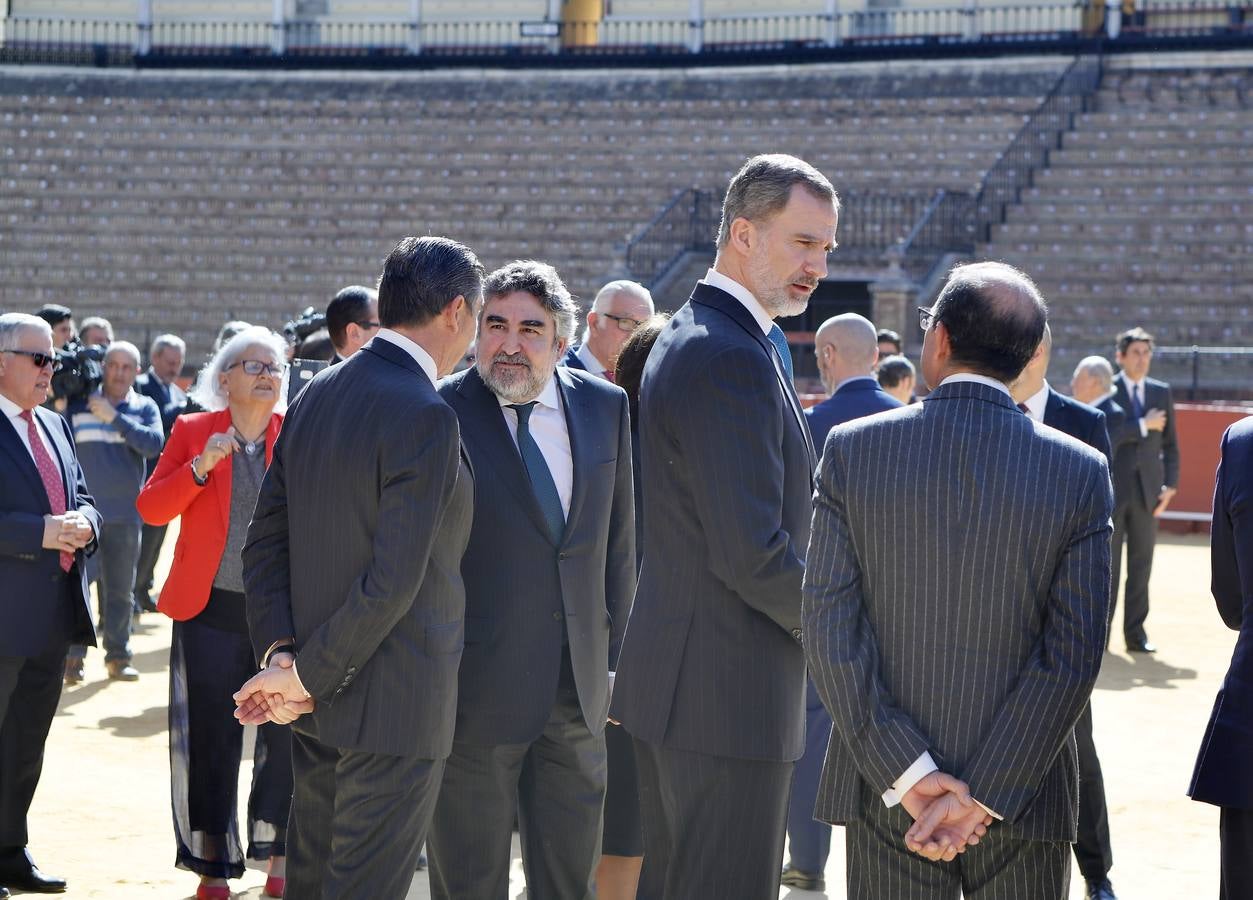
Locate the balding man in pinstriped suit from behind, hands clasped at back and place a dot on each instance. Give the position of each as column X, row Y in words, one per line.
column 974, row 646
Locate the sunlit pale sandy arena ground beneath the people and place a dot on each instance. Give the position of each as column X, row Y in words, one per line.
column 102, row 815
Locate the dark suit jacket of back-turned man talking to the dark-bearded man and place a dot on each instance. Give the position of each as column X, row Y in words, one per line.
column 355, row 550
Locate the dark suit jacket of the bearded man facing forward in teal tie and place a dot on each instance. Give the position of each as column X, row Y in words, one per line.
column 524, row 591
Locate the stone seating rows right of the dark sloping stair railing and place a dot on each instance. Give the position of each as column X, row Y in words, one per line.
column 1142, row 219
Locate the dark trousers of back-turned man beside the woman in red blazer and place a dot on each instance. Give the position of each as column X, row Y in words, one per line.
column 358, row 823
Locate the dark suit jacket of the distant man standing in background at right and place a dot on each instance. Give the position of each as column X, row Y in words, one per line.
column 1145, row 466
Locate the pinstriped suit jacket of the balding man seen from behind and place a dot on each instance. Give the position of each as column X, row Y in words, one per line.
column 957, row 601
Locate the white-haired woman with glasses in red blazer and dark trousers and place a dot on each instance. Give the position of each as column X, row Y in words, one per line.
column 210, row 474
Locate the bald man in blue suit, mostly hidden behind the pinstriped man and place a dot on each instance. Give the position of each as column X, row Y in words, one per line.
column 846, row 350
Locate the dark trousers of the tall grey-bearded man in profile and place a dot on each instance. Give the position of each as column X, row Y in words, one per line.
column 714, row 827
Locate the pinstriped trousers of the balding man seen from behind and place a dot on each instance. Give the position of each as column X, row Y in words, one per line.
column 880, row 866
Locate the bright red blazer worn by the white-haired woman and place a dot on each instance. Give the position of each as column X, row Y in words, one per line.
column 172, row 492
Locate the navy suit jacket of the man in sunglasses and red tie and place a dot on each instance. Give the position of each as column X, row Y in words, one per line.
column 33, row 617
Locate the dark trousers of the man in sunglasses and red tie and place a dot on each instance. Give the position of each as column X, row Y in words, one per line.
column 31, row 689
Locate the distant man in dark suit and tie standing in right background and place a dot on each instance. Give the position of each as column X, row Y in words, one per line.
column 1146, row 479
